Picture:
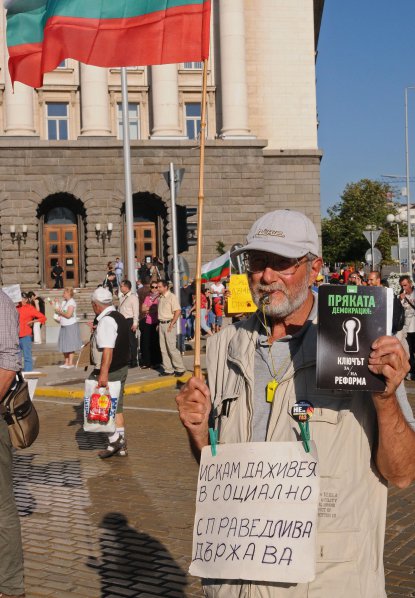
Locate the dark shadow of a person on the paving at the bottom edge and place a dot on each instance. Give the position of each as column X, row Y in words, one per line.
column 134, row 561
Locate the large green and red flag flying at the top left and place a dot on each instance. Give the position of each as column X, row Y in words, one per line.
column 107, row 33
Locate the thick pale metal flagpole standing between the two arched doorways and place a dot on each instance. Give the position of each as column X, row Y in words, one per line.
column 129, row 216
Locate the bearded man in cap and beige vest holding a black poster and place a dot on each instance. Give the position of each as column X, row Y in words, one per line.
column 260, row 368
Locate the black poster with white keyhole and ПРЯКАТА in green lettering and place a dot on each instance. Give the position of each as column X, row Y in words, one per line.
column 350, row 318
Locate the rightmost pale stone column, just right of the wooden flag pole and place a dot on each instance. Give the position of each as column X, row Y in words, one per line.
column 233, row 74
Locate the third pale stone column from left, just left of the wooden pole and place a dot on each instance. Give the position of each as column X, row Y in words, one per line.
column 165, row 95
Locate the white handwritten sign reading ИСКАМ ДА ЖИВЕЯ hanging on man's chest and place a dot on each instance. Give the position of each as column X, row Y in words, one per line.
column 256, row 512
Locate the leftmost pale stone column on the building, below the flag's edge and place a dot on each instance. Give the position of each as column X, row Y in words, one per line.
column 19, row 109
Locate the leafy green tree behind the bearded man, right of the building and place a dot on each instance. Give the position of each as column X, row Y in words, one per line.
column 362, row 204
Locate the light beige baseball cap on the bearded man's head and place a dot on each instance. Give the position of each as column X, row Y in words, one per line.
column 284, row 232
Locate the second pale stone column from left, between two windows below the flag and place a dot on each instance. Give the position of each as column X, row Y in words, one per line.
column 95, row 106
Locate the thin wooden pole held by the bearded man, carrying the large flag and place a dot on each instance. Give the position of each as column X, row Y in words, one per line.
column 200, row 201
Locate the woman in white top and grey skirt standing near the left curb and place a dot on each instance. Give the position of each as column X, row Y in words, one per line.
column 69, row 335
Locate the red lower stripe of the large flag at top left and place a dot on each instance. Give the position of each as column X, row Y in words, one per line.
column 167, row 37
